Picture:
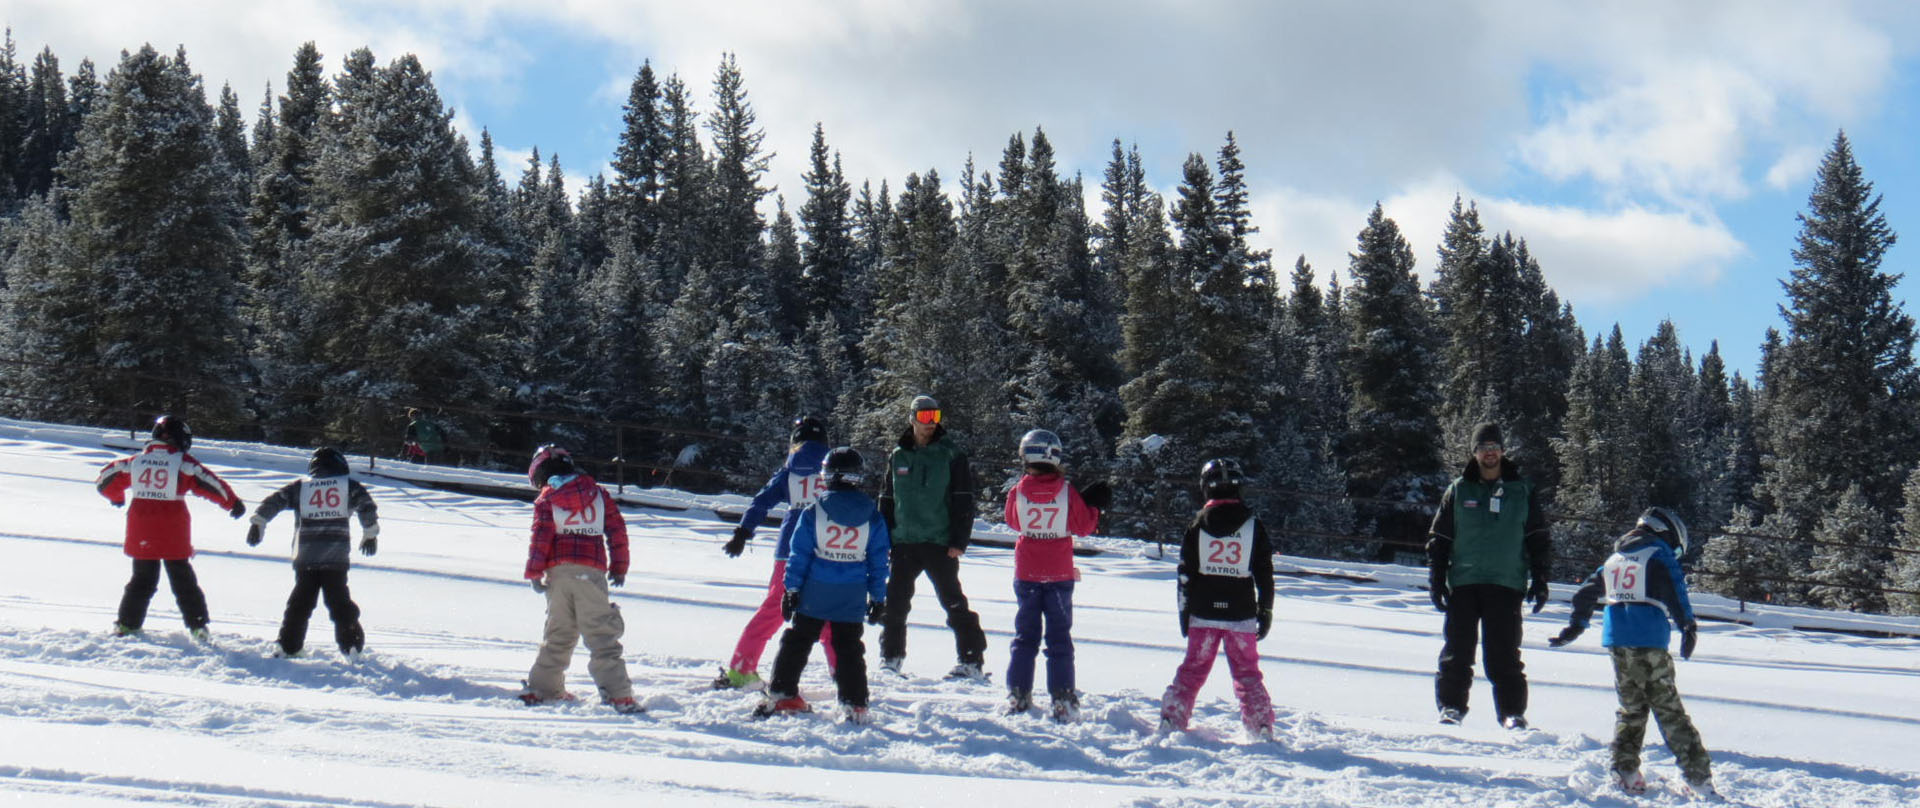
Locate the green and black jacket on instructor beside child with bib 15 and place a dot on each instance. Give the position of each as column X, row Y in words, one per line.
column 1491, row 533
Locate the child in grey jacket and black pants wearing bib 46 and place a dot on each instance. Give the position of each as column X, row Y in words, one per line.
column 322, row 548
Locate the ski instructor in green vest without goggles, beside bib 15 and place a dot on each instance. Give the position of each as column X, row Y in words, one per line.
column 1489, row 536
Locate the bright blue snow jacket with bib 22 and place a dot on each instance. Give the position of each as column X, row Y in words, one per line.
column 836, row 569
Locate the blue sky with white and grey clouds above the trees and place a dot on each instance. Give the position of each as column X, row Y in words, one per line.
column 1654, row 154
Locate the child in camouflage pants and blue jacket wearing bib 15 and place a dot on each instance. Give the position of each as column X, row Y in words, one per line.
column 1646, row 590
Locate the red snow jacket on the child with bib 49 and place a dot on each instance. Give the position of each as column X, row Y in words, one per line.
column 158, row 481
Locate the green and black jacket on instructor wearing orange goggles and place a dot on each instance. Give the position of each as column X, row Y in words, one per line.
column 928, row 496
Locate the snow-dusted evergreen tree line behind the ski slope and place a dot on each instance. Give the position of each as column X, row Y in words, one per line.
column 352, row 247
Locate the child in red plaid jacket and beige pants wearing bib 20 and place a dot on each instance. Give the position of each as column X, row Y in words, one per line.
column 577, row 552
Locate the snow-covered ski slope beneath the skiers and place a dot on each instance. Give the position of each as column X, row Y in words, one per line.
column 1794, row 719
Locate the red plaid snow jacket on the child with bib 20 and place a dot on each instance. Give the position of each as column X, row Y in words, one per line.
column 577, row 525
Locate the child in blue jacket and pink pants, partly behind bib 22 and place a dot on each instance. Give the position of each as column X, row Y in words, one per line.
column 800, row 485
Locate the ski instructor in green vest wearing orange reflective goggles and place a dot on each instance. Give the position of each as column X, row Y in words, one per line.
column 928, row 502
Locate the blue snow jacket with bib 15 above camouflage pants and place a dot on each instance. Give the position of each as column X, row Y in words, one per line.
column 1644, row 592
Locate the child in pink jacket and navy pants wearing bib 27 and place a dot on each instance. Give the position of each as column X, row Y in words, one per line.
column 1047, row 513
